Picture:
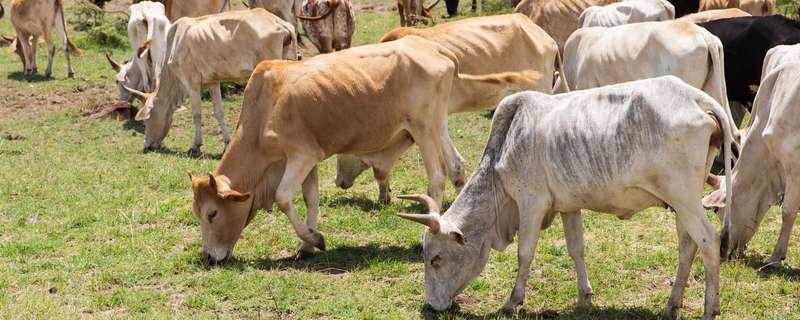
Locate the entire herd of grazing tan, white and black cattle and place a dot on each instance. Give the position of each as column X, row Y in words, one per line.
column 632, row 117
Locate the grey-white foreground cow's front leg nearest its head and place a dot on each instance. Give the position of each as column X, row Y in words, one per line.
column 531, row 214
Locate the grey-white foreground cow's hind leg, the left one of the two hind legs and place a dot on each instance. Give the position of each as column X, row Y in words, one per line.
column 686, row 251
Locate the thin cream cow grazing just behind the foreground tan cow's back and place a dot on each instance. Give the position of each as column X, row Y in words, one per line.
column 203, row 51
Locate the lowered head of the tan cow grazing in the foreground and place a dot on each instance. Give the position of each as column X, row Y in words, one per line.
column 222, row 212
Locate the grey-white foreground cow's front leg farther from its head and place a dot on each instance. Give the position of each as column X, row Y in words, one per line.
column 573, row 231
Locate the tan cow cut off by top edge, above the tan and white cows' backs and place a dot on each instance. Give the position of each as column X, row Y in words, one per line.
column 559, row 18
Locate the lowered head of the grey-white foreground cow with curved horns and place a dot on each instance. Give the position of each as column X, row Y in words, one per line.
column 451, row 260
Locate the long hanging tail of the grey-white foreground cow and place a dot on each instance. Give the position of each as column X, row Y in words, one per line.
column 727, row 133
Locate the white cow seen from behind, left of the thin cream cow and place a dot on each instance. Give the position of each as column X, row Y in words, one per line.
column 147, row 32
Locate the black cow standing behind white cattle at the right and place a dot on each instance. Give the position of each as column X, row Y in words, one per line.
column 746, row 41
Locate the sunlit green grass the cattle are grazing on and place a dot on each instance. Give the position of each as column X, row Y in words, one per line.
column 92, row 228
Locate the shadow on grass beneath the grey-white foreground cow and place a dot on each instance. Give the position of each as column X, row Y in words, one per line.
column 611, row 312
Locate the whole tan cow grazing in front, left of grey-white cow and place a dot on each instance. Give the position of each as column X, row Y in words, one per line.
column 357, row 101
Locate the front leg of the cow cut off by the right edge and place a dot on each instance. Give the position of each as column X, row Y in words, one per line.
column 791, row 202
